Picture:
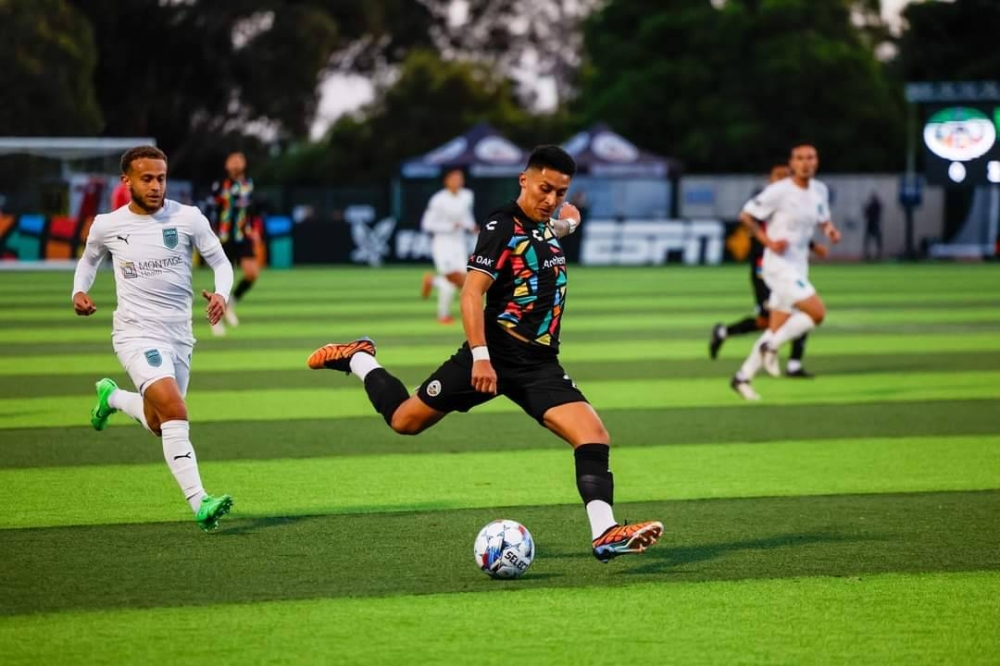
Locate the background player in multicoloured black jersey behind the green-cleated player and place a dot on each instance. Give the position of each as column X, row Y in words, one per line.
column 232, row 212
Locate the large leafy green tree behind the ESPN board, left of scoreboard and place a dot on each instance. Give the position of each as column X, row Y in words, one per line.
column 730, row 88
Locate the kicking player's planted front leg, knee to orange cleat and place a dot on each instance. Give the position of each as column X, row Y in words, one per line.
column 579, row 424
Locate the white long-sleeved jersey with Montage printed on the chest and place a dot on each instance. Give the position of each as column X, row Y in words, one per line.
column 151, row 256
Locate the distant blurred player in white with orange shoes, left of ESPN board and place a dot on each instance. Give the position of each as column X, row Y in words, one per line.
column 449, row 220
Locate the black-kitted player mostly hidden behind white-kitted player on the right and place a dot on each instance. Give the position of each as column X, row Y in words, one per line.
column 720, row 332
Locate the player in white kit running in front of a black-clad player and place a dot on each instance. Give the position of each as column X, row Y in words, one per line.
column 793, row 208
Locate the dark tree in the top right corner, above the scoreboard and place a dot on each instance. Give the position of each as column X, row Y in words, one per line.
column 950, row 41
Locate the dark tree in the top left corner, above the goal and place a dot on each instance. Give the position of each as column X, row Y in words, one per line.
column 48, row 55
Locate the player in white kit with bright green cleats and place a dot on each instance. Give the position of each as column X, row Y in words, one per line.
column 150, row 242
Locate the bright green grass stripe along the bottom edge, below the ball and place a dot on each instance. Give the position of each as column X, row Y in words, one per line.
column 881, row 619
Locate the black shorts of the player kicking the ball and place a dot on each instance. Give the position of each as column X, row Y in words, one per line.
column 534, row 381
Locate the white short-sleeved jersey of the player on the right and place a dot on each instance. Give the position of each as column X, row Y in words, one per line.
column 792, row 214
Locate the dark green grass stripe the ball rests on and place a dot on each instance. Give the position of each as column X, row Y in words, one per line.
column 271, row 559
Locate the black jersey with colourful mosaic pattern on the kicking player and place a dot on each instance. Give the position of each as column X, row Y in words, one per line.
column 528, row 267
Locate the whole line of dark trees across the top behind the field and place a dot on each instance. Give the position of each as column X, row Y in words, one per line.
column 724, row 86
